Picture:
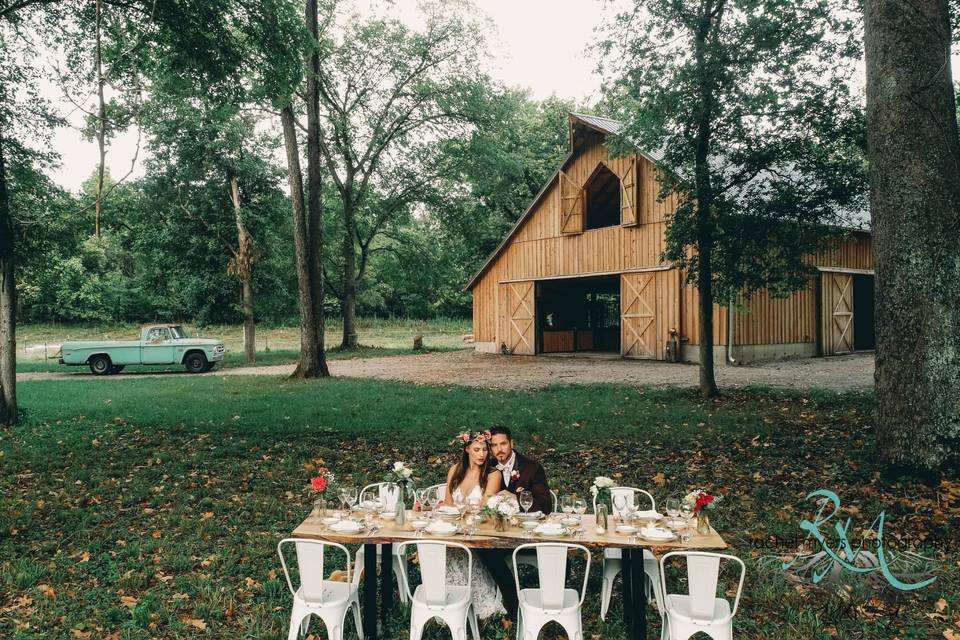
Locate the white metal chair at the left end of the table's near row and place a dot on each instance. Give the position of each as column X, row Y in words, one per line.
column 327, row 599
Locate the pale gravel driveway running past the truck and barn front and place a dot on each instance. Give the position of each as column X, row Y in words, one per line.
column 523, row 372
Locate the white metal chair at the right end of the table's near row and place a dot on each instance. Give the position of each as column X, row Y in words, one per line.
column 700, row 610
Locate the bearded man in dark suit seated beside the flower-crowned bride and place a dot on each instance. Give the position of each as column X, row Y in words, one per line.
column 519, row 473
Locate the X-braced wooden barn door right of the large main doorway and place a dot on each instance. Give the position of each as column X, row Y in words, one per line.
column 638, row 315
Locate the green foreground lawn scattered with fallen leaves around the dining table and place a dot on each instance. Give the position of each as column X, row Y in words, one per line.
column 151, row 508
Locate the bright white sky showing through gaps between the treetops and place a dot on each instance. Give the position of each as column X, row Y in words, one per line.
column 541, row 45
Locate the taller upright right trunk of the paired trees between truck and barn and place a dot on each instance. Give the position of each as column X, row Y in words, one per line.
column 315, row 191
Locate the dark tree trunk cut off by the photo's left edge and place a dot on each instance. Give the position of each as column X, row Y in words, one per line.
column 8, row 305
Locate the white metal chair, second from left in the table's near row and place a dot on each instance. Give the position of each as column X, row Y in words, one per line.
column 434, row 598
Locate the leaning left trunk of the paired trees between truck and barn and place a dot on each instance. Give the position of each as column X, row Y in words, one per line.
column 308, row 366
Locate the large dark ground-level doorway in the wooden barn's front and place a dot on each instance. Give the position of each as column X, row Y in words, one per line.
column 579, row 314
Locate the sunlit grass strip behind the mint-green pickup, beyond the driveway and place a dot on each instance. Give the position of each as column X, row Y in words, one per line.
column 38, row 344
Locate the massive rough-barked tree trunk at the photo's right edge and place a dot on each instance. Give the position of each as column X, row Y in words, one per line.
column 914, row 155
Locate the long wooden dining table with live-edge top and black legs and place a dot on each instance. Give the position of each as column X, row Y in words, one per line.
column 634, row 601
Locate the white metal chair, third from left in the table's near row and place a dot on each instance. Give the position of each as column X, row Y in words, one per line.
column 551, row 600
